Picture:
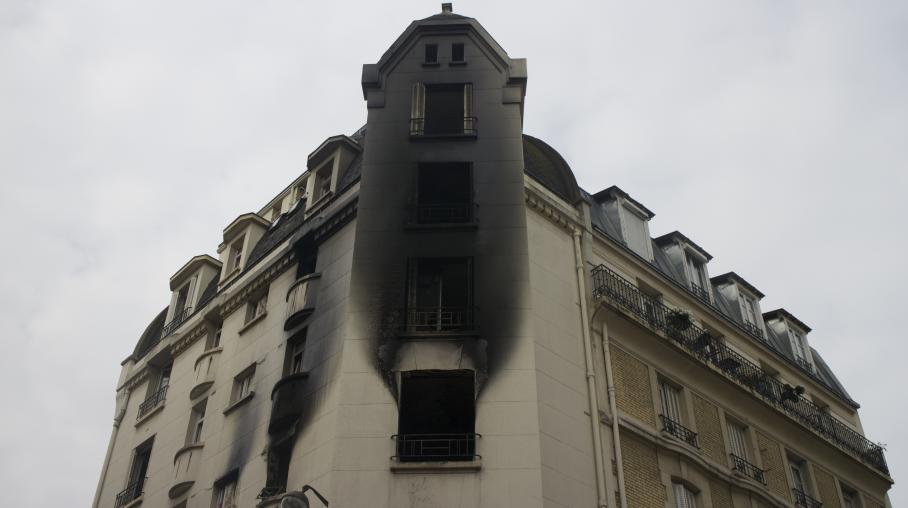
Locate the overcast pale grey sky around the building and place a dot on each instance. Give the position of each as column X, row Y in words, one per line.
column 773, row 134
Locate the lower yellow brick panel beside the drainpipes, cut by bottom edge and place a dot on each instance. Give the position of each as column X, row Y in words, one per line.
column 641, row 474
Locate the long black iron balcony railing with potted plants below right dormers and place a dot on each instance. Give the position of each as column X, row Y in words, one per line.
column 624, row 296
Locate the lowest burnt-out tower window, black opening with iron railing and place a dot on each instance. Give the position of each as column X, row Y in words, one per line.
column 437, row 416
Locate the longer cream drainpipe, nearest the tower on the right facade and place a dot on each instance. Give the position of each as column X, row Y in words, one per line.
column 590, row 373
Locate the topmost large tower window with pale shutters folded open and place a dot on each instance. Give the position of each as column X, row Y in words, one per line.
column 442, row 109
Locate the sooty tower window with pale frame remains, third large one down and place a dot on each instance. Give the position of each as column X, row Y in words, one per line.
column 440, row 295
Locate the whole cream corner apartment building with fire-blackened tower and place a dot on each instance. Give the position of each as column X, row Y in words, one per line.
column 435, row 314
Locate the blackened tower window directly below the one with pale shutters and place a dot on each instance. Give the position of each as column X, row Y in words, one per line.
column 444, row 193
